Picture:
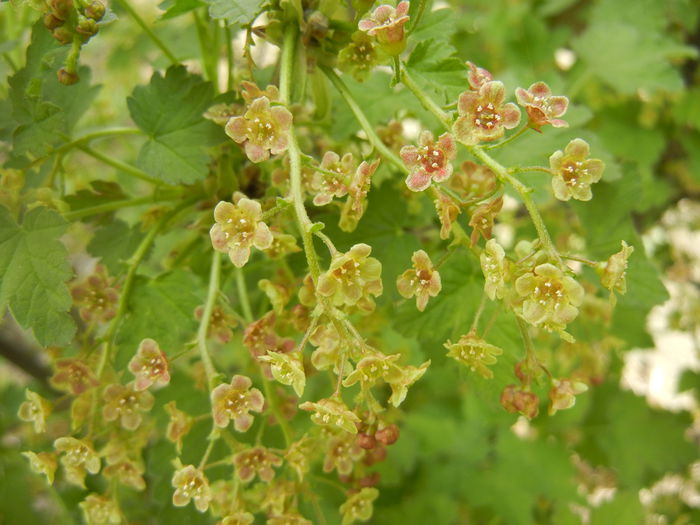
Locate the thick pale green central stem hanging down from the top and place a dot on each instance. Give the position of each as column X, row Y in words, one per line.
column 294, row 153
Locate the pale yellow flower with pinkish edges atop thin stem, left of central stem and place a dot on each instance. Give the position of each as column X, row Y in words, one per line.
column 238, row 227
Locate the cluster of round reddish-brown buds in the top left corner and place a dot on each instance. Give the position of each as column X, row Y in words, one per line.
column 67, row 23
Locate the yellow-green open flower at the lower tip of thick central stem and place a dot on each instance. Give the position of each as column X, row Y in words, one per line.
column 352, row 279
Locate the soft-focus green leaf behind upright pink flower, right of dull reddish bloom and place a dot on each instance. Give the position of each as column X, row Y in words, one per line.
column 162, row 309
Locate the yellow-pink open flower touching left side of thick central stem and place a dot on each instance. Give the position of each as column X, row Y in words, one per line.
column 262, row 129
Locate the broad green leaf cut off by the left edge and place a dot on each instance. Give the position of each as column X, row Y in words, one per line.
column 34, row 268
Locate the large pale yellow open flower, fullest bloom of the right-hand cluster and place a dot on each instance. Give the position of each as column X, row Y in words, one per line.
column 550, row 297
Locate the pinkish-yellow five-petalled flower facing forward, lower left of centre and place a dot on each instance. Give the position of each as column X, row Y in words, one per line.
column 234, row 401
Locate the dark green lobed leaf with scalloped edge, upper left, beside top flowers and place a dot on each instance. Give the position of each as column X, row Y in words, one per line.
column 169, row 110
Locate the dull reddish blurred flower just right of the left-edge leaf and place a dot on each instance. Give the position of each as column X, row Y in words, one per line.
column 95, row 296
